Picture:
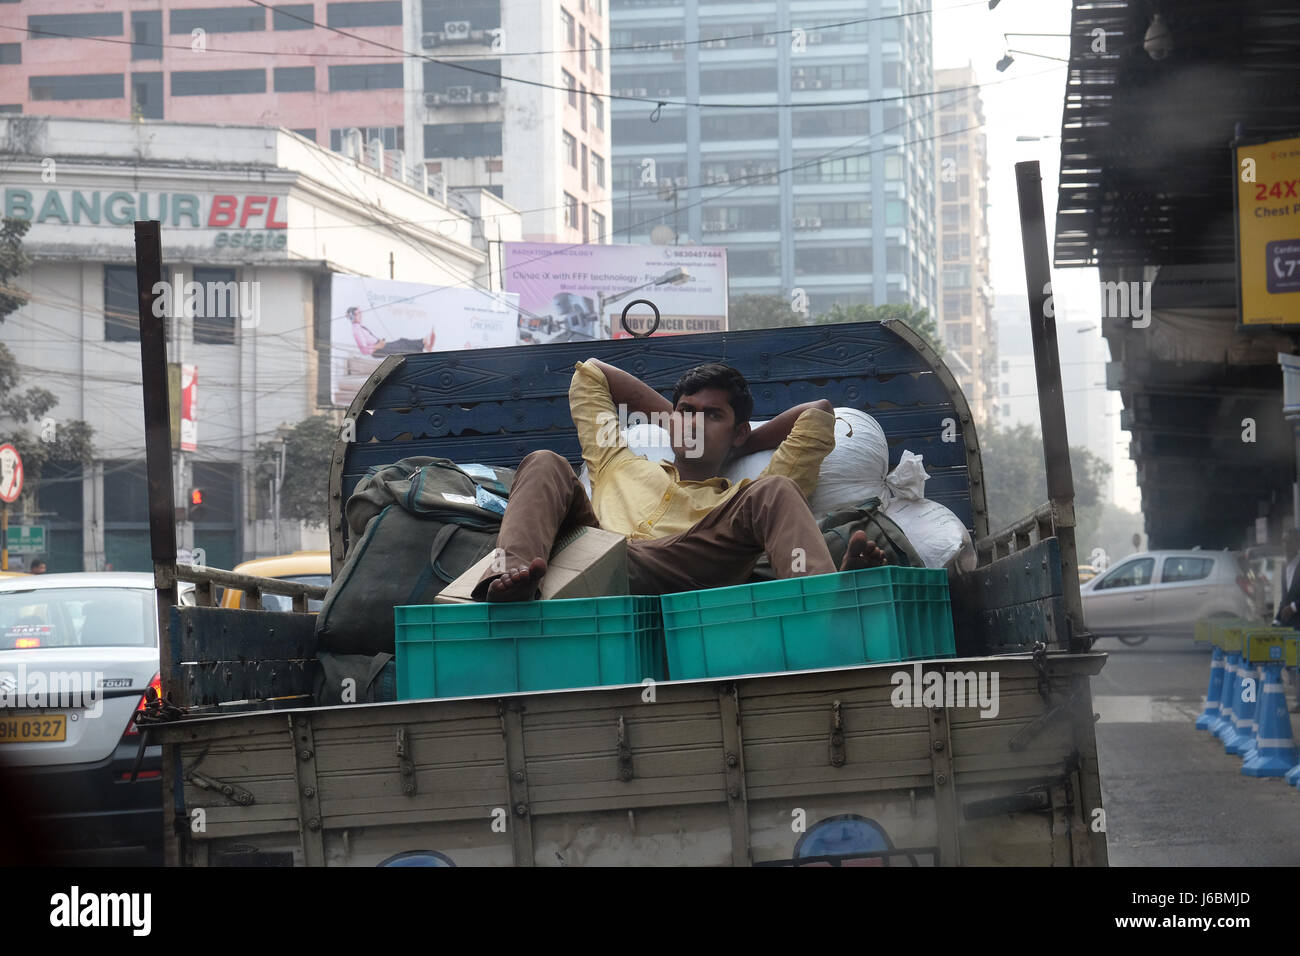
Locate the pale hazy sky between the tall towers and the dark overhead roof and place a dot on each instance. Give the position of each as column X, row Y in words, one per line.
column 1028, row 101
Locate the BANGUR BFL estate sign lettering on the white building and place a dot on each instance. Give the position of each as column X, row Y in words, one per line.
column 250, row 222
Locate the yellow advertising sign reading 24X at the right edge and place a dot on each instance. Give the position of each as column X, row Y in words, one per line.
column 1268, row 232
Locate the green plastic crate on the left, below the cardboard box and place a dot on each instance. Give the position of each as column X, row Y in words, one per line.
column 466, row 650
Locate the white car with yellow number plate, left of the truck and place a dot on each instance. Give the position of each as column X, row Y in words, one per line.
column 77, row 654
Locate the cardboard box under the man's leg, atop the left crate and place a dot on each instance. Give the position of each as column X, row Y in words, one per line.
column 588, row 563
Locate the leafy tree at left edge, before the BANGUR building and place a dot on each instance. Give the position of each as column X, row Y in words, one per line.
column 51, row 440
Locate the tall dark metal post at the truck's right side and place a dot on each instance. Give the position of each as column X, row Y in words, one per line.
column 1047, row 362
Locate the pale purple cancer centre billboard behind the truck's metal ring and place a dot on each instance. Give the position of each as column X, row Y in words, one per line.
column 574, row 293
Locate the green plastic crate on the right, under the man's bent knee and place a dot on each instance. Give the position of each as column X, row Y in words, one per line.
column 801, row 624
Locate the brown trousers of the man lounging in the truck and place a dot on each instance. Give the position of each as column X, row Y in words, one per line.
column 768, row 516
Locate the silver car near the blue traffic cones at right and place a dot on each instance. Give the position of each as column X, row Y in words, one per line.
column 1167, row 594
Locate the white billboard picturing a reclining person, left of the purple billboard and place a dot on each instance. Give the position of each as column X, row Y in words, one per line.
column 375, row 318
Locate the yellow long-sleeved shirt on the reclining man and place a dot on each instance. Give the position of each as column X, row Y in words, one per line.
column 647, row 500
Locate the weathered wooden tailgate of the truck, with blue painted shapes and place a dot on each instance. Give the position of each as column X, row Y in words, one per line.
column 786, row 769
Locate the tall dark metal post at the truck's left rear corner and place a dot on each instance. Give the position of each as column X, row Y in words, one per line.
column 158, row 457
